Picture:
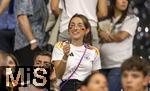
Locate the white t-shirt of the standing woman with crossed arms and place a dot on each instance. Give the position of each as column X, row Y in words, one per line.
column 114, row 54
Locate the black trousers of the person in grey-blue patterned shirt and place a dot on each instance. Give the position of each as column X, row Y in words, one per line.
column 25, row 55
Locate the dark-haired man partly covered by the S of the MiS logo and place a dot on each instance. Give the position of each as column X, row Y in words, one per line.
column 41, row 60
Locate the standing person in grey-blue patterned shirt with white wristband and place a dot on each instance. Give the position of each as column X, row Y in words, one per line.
column 32, row 16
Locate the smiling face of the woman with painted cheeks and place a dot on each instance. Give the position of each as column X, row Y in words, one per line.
column 77, row 29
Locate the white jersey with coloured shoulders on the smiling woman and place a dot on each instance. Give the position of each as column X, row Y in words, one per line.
column 90, row 62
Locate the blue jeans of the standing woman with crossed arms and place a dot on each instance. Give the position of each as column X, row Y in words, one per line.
column 114, row 78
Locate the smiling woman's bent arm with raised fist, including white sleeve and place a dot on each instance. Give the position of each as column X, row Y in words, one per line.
column 60, row 57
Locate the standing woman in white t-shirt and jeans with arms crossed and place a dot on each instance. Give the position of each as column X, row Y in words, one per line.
column 116, row 36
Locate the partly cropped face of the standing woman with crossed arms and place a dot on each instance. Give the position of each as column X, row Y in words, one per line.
column 121, row 5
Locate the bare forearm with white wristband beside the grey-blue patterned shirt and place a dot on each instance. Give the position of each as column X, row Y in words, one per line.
column 26, row 28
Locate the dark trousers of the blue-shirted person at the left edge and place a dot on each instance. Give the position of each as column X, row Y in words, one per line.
column 7, row 40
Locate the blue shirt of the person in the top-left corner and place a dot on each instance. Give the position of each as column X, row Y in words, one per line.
column 7, row 20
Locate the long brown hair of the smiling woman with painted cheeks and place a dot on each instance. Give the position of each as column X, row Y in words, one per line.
column 88, row 37
